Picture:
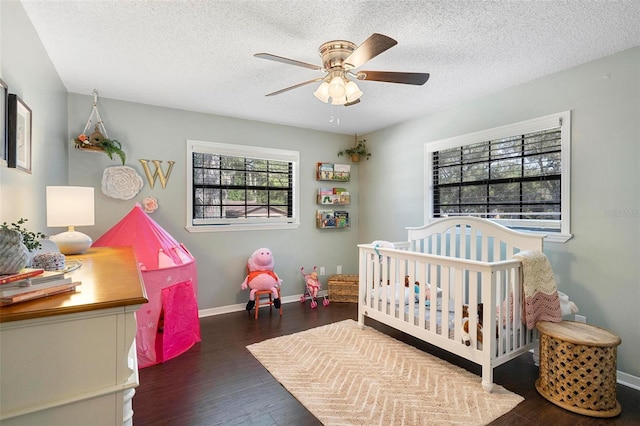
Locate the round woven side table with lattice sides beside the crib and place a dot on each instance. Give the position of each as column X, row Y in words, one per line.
column 578, row 368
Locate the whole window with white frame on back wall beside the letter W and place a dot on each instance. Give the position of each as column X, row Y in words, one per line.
column 237, row 187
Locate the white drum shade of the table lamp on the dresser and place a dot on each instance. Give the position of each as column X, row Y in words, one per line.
column 70, row 206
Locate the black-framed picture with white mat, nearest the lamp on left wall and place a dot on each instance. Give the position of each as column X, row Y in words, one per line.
column 19, row 134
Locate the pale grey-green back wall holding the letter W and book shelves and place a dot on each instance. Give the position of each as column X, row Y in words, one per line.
column 154, row 133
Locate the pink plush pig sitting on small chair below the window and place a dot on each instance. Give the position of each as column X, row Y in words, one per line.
column 261, row 277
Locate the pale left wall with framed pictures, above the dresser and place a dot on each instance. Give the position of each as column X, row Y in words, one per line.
column 28, row 72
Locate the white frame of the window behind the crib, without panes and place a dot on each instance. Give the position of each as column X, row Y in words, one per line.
column 562, row 120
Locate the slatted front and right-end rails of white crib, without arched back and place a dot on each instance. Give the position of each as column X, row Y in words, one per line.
column 449, row 283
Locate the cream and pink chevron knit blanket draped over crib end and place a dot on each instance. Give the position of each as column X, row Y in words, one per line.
column 541, row 301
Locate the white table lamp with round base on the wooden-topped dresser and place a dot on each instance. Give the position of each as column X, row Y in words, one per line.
column 70, row 206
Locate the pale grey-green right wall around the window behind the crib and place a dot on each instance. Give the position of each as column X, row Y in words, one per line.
column 599, row 267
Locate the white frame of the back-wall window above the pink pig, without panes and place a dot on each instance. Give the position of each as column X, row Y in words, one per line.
column 245, row 224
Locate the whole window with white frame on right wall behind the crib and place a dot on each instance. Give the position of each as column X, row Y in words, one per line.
column 517, row 175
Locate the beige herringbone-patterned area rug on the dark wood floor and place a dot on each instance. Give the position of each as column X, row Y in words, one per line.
column 345, row 375
